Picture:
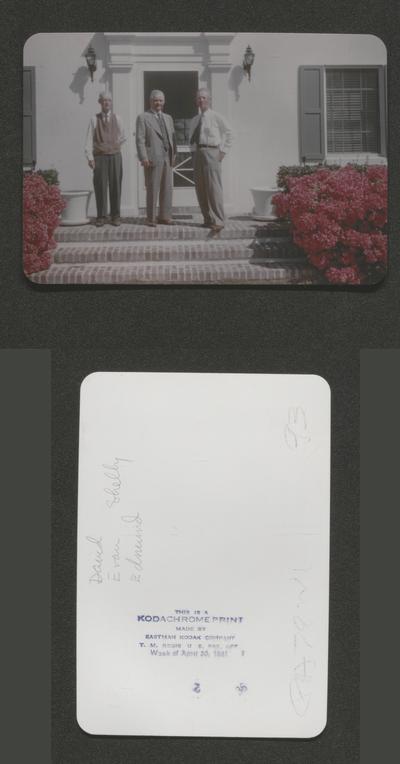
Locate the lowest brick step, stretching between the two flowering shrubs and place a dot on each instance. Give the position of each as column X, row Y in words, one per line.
column 183, row 273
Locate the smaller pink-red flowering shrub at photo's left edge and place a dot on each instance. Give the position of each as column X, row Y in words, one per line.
column 42, row 207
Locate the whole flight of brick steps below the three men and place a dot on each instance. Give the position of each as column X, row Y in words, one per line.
column 182, row 253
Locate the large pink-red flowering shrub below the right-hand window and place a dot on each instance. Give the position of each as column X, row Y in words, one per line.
column 339, row 219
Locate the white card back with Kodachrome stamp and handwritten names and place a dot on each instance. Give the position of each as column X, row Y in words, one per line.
column 203, row 554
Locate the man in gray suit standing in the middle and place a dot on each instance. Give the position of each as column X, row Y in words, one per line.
column 156, row 147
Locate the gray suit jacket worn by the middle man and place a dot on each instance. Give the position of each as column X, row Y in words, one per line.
column 149, row 141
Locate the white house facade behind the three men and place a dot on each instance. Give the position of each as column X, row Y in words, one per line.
column 309, row 98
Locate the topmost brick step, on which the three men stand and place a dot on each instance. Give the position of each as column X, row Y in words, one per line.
column 135, row 230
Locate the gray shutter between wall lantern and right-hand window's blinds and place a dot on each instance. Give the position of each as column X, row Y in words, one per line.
column 311, row 117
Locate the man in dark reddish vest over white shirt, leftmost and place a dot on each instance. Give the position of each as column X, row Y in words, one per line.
column 103, row 151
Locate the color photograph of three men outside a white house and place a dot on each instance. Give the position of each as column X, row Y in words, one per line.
column 204, row 158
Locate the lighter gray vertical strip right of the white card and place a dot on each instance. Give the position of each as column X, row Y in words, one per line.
column 380, row 428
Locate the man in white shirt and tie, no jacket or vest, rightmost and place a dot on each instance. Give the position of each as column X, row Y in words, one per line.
column 210, row 139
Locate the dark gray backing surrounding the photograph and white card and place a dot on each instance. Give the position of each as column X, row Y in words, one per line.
column 253, row 329
